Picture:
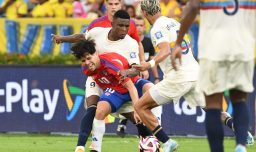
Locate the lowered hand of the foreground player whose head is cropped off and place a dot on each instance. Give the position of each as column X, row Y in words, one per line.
column 176, row 54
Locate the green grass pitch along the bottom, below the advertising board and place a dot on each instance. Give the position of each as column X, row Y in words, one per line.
column 58, row 143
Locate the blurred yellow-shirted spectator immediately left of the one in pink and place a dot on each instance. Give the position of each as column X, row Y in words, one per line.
column 62, row 9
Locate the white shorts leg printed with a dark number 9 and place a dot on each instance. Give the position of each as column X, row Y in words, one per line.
column 92, row 88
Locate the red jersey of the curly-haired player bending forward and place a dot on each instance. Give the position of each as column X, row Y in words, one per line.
column 106, row 76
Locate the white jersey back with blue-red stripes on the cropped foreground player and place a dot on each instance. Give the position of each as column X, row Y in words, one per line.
column 227, row 30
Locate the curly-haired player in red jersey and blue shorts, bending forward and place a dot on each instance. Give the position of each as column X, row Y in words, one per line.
column 118, row 91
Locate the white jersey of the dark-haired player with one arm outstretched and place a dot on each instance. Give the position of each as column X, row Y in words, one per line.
column 126, row 47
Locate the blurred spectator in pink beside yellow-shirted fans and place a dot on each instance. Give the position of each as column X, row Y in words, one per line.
column 78, row 9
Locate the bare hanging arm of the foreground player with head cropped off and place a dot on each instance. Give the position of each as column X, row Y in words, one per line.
column 187, row 20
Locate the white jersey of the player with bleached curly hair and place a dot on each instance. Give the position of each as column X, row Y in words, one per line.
column 165, row 30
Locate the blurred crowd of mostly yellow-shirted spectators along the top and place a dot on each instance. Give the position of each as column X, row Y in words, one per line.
column 93, row 9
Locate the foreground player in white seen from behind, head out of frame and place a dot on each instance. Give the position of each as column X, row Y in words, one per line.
column 226, row 51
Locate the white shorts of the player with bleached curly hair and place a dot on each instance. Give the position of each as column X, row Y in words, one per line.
column 166, row 91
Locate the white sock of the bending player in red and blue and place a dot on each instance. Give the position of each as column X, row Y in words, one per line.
column 98, row 131
